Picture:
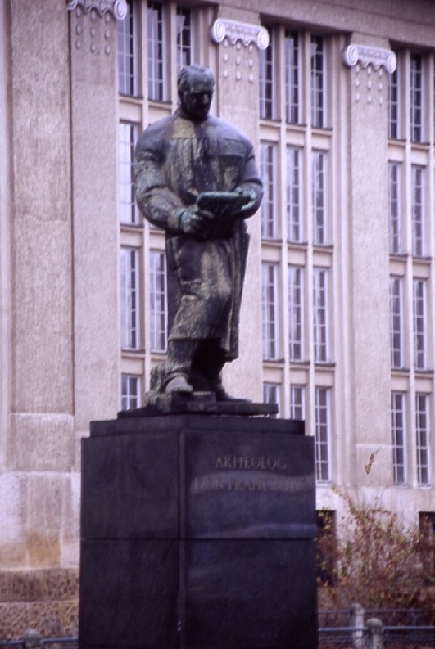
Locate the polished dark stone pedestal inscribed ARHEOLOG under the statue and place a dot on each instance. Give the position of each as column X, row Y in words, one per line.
column 197, row 533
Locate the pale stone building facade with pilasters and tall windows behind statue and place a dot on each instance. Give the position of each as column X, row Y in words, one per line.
column 337, row 322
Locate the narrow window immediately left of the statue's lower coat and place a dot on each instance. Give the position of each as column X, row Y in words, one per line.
column 159, row 310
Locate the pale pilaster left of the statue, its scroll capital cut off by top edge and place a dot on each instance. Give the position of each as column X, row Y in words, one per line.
column 94, row 198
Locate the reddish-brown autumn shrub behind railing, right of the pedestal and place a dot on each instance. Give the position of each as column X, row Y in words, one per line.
column 377, row 561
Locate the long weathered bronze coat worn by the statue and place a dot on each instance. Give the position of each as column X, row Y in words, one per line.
column 175, row 161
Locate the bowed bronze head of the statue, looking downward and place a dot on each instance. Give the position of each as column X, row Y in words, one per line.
column 195, row 90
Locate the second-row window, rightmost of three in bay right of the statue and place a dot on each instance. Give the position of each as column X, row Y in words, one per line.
column 319, row 198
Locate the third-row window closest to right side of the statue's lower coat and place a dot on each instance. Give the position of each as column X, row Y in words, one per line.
column 270, row 309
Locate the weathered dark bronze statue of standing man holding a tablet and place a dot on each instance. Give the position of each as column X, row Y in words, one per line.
column 196, row 178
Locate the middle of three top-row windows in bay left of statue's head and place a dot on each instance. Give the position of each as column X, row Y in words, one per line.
column 155, row 52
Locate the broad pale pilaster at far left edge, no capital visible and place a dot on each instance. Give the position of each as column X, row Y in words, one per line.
column 41, row 261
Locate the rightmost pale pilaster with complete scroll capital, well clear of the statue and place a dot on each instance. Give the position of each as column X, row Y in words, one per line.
column 368, row 68
